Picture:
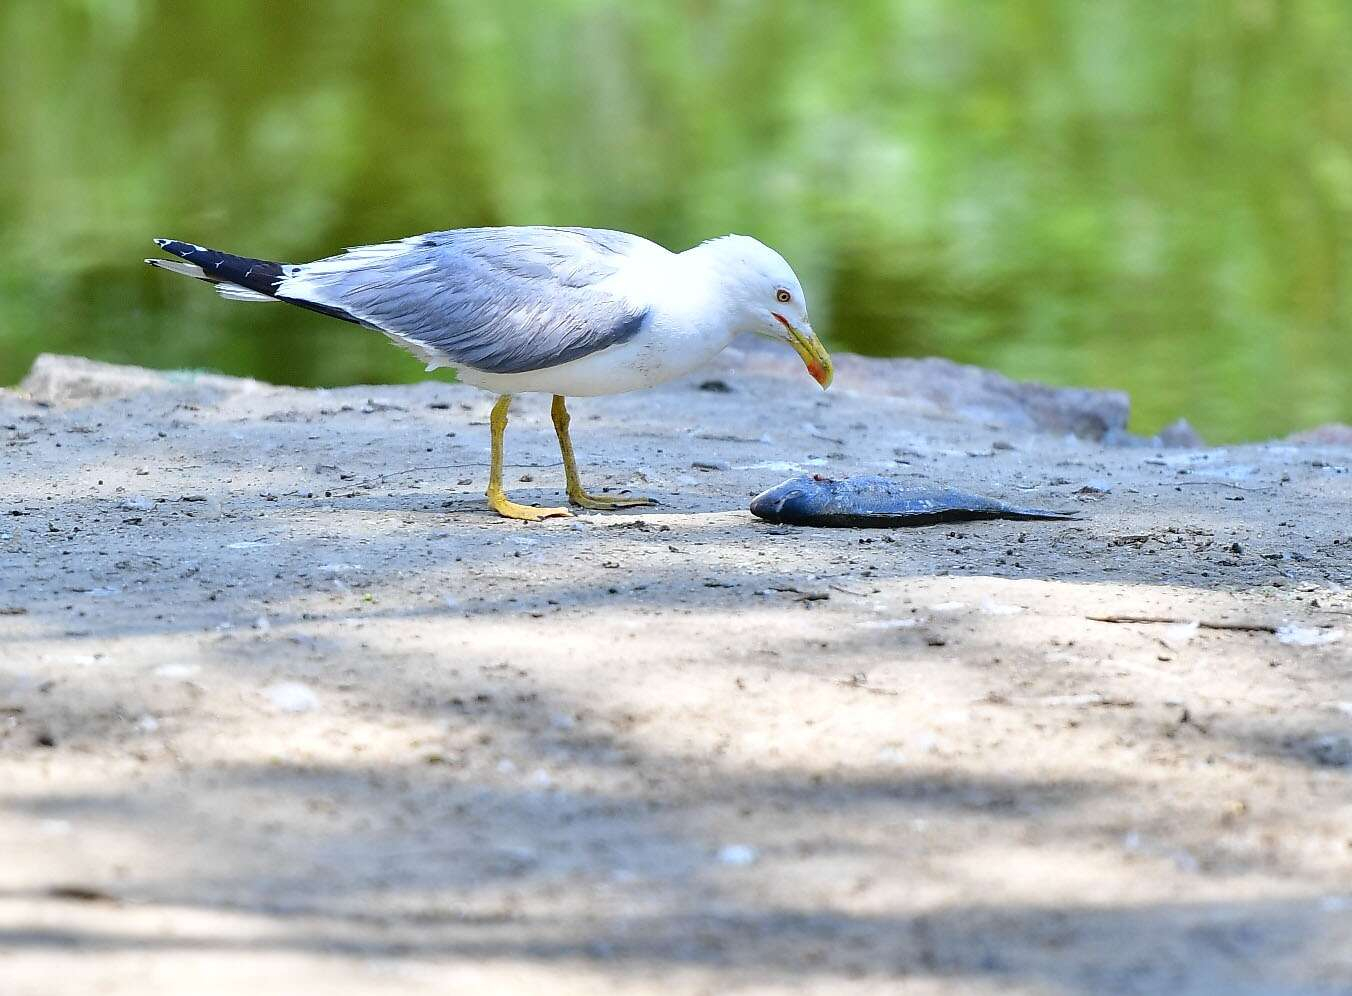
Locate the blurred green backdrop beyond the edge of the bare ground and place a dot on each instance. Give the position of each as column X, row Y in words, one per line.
column 1134, row 194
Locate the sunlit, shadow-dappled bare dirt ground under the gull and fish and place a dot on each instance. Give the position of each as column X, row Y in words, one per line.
column 285, row 710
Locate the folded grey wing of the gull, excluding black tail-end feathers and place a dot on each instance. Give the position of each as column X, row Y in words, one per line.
column 501, row 301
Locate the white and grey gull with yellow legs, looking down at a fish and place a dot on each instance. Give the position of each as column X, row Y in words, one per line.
column 571, row 313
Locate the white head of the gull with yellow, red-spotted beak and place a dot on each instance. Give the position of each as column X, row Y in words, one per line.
column 769, row 301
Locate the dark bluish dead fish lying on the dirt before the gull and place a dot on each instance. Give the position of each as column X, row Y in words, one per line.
column 875, row 502
